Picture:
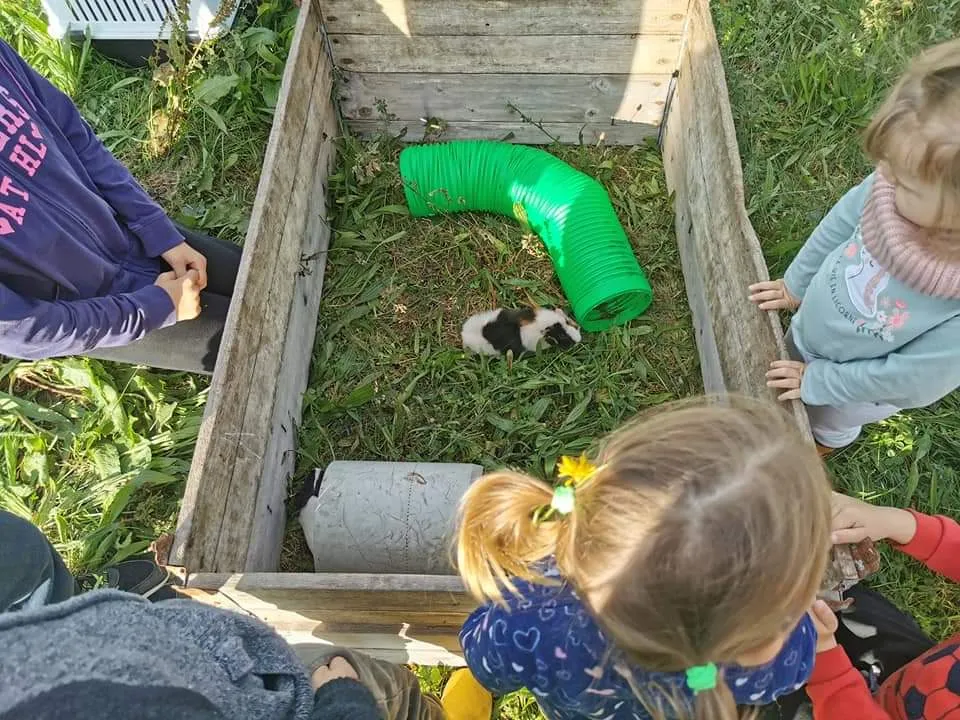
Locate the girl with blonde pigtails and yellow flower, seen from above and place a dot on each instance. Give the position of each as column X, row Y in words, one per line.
column 672, row 579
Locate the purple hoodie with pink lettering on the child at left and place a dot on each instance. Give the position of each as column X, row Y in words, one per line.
column 80, row 240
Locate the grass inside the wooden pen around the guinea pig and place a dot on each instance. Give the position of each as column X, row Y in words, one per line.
column 390, row 380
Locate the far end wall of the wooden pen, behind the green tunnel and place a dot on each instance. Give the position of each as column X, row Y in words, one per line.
column 529, row 71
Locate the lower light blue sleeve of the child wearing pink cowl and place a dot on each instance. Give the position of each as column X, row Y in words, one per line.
column 922, row 371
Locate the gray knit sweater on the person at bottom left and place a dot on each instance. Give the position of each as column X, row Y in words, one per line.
column 243, row 668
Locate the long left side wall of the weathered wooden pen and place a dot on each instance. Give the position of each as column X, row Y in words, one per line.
column 232, row 515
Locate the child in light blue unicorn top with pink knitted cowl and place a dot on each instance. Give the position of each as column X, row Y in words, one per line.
column 877, row 285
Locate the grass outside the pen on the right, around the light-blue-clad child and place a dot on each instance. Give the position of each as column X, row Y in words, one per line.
column 804, row 79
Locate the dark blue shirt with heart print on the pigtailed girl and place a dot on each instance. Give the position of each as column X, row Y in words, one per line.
column 548, row 642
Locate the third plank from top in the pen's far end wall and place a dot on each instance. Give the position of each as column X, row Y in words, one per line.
column 503, row 98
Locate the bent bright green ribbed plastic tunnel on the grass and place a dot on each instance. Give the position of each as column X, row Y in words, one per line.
column 570, row 211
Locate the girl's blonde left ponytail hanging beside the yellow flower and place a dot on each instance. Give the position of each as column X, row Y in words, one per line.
column 498, row 538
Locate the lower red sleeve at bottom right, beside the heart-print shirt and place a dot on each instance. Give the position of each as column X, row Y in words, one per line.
column 837, row 690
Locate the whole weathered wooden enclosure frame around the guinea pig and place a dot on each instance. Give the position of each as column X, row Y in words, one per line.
column 532, row 71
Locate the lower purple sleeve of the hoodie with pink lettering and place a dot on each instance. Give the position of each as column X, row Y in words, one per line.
column 35, row 329
